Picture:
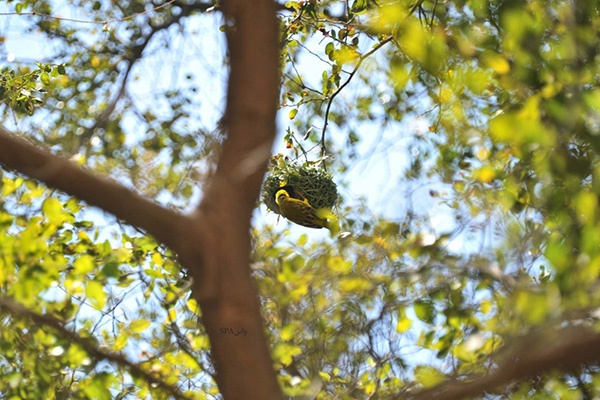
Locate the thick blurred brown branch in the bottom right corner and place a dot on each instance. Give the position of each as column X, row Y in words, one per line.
column 540, row 352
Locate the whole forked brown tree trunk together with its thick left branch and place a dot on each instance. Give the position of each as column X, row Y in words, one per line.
column 213, row 243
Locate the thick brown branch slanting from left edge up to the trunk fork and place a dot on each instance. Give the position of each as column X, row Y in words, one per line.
column 18, row 154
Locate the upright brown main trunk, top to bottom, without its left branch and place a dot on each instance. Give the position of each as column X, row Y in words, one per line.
column 223, row 283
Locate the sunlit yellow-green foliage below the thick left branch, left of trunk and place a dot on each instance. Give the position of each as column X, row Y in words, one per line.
column 124, row 292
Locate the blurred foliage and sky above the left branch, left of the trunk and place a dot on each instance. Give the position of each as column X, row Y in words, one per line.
column 97, row 111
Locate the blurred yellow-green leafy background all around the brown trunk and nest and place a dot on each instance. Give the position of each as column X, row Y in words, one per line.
column 497, row 105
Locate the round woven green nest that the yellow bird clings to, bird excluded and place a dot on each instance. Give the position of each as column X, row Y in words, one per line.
column 301, row 182
